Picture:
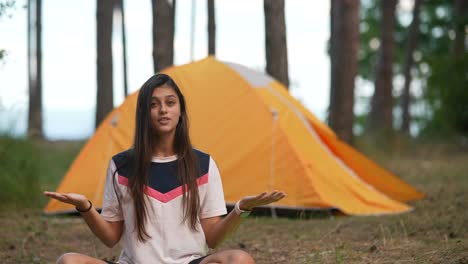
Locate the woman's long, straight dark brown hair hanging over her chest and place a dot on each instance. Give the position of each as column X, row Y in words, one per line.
column 144, row 141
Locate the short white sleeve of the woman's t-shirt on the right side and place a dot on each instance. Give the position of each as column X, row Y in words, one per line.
column 212, row 203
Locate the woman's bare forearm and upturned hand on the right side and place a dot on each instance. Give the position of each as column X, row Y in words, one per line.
column 216, row 229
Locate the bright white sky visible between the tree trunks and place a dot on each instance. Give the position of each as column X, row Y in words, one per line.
column 69, row 55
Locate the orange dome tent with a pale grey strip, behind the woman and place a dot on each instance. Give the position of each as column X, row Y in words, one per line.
column 261, row 138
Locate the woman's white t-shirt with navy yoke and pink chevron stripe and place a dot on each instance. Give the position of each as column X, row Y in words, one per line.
column 172, row 240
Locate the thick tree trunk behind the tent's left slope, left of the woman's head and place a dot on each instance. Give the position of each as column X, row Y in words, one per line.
column 104, row 100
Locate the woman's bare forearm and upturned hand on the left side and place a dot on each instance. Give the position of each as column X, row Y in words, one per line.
column 108, row 232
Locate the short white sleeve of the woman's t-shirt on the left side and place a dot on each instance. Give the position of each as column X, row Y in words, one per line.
column 111, row 209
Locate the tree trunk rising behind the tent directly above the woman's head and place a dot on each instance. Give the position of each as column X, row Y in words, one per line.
column 163, row 33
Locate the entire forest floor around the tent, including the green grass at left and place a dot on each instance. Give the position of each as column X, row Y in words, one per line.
column 436, row 231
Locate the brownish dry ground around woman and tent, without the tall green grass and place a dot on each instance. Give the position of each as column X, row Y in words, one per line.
column 436, row 231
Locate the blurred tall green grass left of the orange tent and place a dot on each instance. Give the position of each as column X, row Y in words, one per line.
column 27, row 167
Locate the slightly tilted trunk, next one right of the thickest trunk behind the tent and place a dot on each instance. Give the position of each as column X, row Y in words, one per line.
column 381, row 117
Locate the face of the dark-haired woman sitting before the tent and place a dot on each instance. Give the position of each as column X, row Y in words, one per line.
column 165, row 110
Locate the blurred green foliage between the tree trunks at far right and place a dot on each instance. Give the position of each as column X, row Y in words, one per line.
column 442, row 77
